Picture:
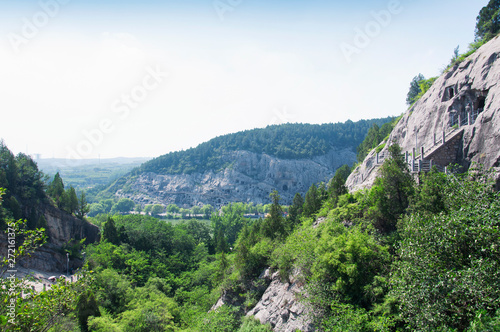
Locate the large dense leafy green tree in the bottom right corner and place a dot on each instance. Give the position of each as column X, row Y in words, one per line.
column 447, row 272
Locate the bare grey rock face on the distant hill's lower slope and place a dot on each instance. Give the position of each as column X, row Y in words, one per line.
column 250, row 178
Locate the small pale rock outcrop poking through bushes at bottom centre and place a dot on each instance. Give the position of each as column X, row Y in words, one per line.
column 280, row 307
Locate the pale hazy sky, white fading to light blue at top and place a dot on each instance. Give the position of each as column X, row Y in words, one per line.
column 88, row 79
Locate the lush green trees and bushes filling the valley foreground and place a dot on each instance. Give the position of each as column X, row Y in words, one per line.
column 404, row 255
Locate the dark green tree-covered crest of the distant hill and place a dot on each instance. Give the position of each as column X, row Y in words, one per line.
column 287, row 141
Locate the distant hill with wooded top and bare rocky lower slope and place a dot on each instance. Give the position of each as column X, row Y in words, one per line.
column 246, row 166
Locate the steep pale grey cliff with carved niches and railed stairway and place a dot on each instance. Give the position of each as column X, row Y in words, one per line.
column 463, row 104
